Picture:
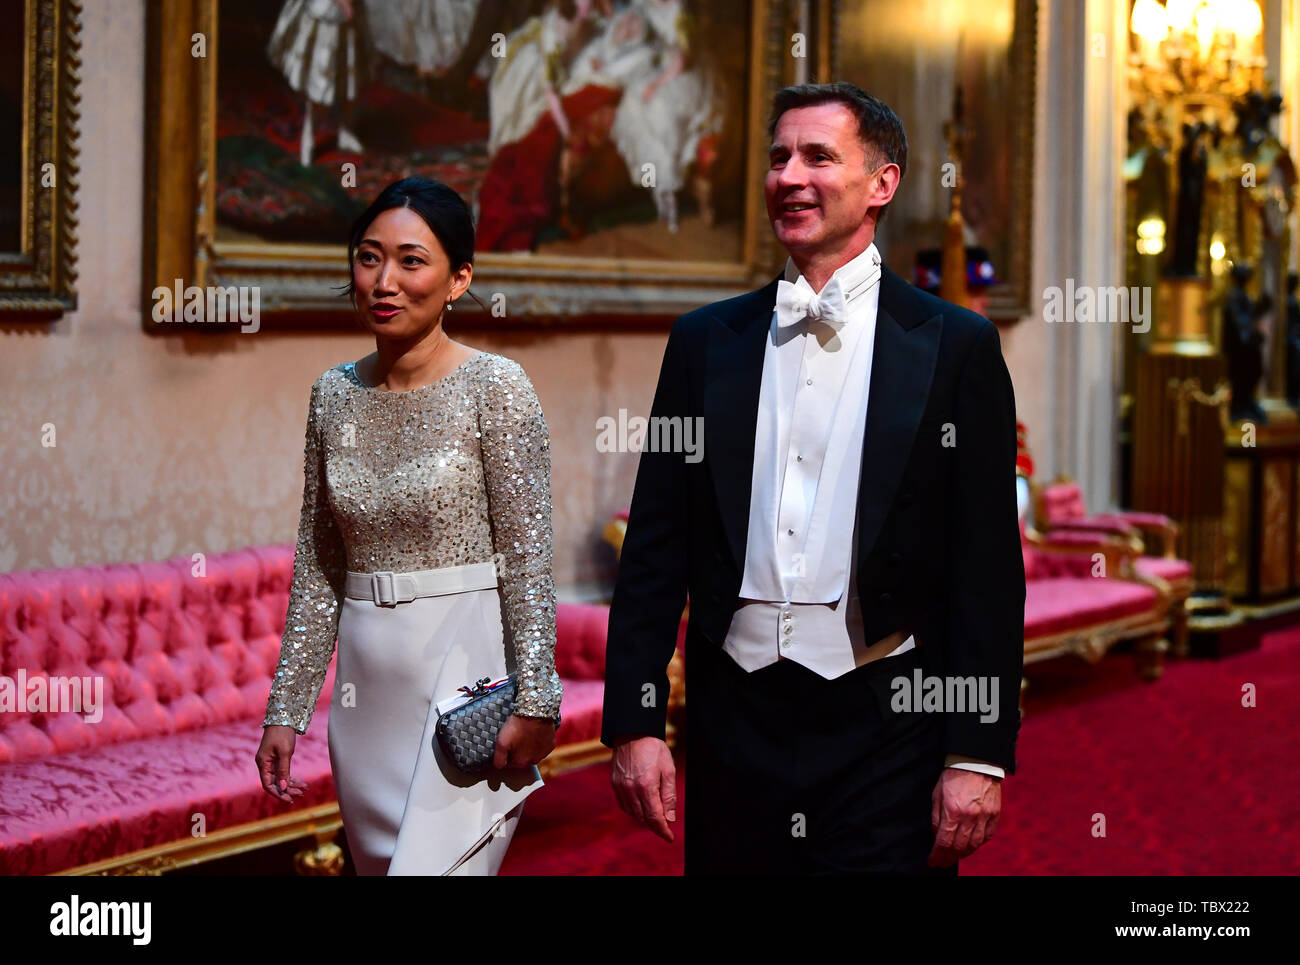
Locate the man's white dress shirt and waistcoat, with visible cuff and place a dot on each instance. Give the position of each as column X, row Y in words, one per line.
column 799, row 592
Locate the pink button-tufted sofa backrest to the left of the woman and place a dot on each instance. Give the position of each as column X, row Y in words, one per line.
column 176, row 650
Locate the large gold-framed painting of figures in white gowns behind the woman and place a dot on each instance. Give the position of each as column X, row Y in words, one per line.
column 613, row 152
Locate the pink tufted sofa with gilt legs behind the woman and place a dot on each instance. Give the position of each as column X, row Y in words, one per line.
column 163, row 774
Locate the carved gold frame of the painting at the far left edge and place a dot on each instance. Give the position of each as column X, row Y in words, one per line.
column 38, row 283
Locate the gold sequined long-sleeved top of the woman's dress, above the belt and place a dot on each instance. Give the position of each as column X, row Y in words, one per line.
column 453, row 473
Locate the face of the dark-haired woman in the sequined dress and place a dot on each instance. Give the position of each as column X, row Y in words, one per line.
column 402, row 275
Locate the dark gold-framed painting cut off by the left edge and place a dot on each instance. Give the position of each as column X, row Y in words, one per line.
column 40, row 72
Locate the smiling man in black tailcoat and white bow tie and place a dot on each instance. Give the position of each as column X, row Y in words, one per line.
column 848, row 542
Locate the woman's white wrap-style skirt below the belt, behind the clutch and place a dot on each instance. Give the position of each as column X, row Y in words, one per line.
column 406, row 810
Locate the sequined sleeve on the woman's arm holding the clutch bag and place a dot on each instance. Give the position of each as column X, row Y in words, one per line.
column 517, row 458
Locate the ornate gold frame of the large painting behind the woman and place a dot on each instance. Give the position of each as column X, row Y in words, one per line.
column 297, row 283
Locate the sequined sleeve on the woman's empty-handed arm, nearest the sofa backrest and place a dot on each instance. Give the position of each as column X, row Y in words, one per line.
column 320, row 566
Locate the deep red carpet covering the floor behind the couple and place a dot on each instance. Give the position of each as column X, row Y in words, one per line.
column 1188, row 780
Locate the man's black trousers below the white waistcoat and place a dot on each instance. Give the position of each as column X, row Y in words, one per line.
column 790, row 773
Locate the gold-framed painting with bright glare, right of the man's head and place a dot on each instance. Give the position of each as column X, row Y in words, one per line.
column 913, row 55
